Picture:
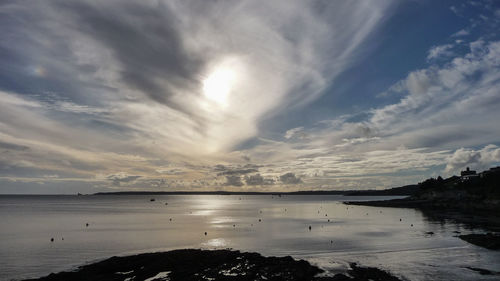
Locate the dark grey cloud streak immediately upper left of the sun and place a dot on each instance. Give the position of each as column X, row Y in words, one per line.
column 145, row 40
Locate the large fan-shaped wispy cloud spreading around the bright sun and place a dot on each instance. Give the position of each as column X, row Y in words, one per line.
column 140, row 66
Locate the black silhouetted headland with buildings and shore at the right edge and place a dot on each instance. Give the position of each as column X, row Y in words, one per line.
column 473, row 201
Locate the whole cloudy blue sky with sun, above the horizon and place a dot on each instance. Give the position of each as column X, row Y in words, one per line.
column 248, row 95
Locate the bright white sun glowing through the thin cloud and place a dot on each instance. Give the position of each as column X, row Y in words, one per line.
column 217, row 86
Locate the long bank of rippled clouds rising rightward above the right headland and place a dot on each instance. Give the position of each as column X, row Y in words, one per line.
column 442, row 107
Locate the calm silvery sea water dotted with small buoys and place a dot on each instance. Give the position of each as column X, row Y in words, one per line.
column 123, row 225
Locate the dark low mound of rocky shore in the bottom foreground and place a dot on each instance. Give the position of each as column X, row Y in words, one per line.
column 193, row 264
